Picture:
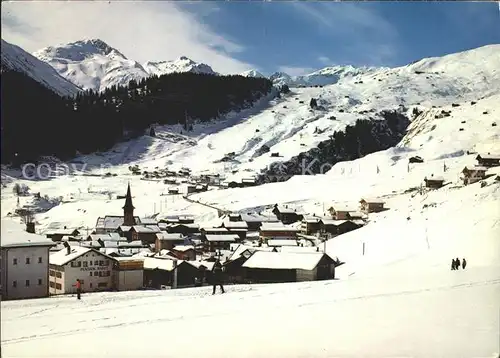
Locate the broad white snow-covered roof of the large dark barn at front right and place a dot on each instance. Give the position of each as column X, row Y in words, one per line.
column 284, row 260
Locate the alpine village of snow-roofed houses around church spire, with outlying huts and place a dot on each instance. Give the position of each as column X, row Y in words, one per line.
column 122, row 253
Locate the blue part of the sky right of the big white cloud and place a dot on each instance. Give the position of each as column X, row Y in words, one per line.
column 305, row 35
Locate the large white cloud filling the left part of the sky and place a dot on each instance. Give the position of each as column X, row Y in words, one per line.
column 142, row 31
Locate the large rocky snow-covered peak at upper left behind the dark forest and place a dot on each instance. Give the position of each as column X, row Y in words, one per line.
column 92, row 64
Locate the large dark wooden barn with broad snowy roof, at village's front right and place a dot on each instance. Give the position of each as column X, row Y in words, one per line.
column 273, row 267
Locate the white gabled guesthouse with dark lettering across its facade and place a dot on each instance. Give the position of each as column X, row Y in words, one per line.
column 93, row 268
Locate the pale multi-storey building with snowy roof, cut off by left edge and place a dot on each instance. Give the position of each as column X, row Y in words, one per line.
column 24, row 263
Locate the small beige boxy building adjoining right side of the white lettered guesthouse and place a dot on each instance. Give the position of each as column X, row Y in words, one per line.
column 128, row 274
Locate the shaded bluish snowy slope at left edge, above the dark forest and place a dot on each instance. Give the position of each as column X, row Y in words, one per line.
column 15, row 58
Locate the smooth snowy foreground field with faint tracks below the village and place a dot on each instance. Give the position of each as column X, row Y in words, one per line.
column 435, row 313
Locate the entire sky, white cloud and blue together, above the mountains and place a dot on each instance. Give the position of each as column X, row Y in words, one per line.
column 233, row 36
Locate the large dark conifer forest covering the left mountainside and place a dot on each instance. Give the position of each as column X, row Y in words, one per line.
column 37, row 121
